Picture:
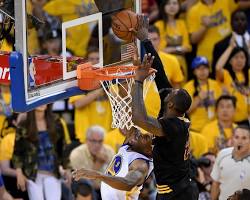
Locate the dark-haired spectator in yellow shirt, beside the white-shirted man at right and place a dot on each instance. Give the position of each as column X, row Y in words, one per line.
column 218, row 133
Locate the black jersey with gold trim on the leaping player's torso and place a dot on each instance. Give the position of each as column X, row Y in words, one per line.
column 170, row 153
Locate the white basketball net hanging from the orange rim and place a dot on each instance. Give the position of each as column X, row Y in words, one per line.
column 119, row 94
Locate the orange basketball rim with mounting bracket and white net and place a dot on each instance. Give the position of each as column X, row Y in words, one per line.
column 117, row 82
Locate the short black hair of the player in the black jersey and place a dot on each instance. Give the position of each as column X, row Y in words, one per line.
column 182, row 101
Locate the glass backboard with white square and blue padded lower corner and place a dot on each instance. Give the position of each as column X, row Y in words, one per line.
column 67, row 33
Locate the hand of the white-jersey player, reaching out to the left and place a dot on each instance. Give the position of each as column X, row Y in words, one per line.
column 85, row 173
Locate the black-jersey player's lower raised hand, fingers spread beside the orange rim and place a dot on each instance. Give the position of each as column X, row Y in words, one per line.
column 144, row 70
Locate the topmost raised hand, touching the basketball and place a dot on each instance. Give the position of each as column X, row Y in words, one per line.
column 142, row 30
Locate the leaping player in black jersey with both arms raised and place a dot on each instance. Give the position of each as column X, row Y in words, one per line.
column 171, row 129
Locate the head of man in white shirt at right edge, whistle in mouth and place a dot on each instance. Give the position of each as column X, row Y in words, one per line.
column 241, row 139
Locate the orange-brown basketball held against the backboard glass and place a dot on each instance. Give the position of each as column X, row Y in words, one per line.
column 122, row 22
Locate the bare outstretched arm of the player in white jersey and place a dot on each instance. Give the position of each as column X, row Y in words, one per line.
column 138, row 171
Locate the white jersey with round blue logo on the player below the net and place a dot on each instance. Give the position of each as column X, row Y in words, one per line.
column 120, row 167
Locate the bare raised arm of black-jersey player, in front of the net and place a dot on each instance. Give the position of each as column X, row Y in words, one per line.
column 139, row 113
